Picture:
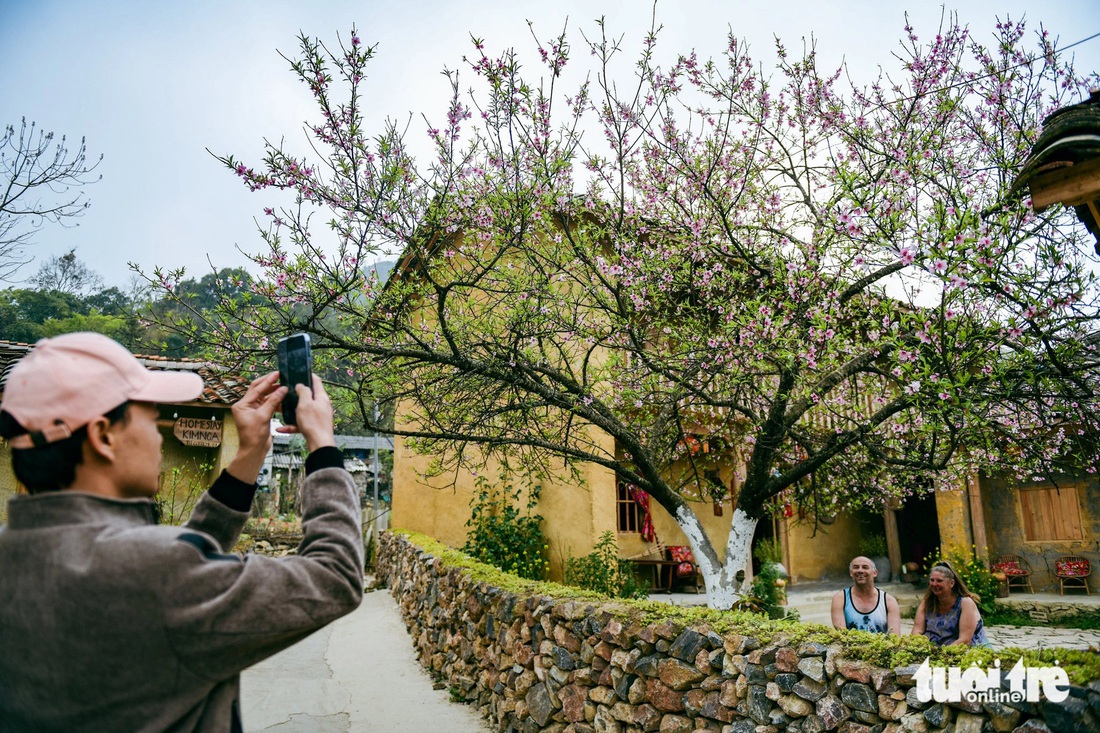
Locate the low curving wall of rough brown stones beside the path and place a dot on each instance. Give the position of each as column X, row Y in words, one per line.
column 541, row 664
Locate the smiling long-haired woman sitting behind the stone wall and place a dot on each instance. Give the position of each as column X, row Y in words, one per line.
column 949, row 612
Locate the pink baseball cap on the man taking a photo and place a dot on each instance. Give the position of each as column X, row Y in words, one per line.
column 68, row 381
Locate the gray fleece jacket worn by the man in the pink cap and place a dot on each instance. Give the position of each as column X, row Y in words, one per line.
column 109, row 622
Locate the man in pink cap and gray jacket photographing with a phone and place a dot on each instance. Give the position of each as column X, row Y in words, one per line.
column 109, row 622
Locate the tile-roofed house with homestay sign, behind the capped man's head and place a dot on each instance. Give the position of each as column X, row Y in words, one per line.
column 200, row 437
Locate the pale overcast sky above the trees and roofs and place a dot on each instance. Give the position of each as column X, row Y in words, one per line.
column 153, row 85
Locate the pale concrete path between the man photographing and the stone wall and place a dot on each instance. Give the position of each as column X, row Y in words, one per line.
column 358, row 675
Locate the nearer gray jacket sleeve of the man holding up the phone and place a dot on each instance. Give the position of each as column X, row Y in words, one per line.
column 224, row 614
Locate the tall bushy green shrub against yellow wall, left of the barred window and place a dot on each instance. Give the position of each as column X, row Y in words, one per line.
column 502, row 537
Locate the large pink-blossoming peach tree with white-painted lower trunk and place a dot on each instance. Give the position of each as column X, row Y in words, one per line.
column 826, row 281
